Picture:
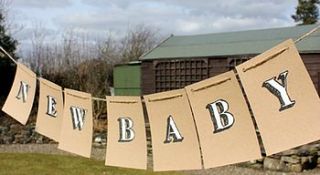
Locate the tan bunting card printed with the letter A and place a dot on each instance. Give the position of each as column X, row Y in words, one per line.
column 174, row 138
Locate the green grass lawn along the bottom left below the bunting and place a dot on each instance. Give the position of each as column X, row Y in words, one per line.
column 45, row 164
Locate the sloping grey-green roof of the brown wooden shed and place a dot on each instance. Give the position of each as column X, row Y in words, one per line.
column 233, row 43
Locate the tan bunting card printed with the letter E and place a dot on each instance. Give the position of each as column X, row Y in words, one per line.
column 50, row 110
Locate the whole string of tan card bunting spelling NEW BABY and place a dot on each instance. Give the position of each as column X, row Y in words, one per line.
column 206, row 124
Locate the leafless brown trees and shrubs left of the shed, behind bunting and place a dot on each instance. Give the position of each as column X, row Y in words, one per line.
column 75, row 60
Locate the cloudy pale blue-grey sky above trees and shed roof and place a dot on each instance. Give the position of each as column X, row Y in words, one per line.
column 179, row 17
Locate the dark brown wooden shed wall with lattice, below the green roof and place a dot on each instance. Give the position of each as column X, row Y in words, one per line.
column 152, row 71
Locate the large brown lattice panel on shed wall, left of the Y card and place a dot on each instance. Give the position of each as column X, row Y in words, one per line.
column 177, row 74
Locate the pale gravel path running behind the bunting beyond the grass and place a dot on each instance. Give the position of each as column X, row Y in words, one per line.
column 99, row 154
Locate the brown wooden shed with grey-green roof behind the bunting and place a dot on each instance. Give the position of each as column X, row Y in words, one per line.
column 182, row 60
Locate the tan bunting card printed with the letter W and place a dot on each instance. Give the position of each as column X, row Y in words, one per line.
column 77, row 129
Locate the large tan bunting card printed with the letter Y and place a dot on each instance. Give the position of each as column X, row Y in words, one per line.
column 282, row 96
